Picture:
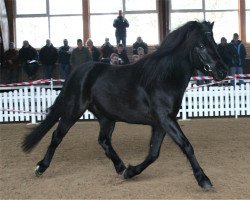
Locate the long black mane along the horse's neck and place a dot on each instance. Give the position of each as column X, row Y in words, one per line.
column 175, row 47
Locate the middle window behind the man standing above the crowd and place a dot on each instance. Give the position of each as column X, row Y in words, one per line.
column 141, row 15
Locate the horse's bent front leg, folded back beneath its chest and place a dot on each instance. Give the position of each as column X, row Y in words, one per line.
column 157, row 137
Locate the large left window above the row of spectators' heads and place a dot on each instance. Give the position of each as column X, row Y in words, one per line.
column 48, row 19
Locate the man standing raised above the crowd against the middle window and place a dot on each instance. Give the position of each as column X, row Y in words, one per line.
column 120, row 23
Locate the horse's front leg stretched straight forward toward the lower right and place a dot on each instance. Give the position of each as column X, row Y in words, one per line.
column 173, row 129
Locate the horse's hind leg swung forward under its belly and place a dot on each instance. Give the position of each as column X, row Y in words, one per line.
column 106, row 130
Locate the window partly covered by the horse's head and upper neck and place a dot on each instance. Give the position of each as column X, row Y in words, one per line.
column 211, row 10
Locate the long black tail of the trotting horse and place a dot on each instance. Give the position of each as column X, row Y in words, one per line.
column 32, row 139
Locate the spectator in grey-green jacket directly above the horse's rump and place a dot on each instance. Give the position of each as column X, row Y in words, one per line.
column 79, row 55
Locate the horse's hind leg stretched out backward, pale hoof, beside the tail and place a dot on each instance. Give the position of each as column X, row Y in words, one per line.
column 65, row 123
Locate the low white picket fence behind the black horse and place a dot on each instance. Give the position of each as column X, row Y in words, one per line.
column 29, row 104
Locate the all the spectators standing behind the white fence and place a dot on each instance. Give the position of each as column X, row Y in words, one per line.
column 233, row 54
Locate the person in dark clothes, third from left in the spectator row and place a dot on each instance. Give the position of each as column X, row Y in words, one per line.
column 48, row 57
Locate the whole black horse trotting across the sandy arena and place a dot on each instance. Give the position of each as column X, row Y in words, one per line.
column 148, row 92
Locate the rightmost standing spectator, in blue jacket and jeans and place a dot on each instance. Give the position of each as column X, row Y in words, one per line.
column 238, row 57
